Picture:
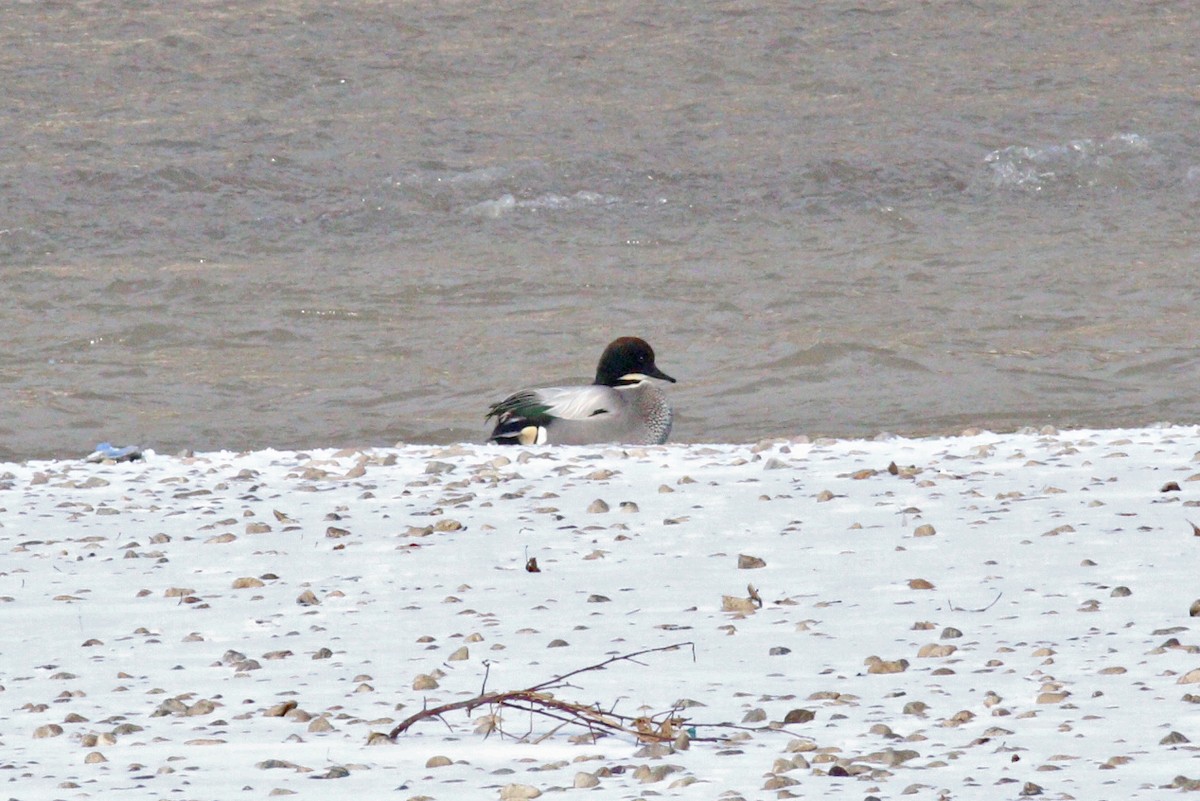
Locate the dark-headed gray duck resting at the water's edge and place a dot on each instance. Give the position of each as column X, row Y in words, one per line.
column 622, row 406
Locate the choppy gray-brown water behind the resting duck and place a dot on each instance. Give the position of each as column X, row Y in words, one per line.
column 253, row 225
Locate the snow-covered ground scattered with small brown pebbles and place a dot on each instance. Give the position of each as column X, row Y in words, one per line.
column 997, row 617
